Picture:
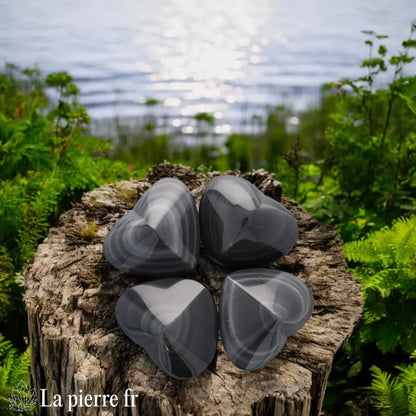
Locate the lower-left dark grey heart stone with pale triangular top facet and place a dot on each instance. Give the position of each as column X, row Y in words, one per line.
column 175, row 321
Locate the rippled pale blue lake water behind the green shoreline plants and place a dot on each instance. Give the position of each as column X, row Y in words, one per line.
column 226, row 57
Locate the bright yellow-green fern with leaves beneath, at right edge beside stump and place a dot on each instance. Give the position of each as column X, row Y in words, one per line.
column 387, row 272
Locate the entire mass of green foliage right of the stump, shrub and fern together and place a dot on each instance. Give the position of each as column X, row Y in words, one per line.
column 364, row 183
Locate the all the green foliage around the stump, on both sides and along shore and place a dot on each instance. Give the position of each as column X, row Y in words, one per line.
column 352, row 162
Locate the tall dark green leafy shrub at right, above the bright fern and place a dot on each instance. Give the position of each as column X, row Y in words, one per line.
column 372, row 144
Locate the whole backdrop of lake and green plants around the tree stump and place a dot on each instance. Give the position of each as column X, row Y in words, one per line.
column 93, row 92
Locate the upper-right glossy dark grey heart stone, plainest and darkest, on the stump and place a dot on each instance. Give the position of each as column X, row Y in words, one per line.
column 242, row 227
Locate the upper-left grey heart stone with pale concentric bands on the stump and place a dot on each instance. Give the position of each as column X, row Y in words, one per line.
column 159, row 236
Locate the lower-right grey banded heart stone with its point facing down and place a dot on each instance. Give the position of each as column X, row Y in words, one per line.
column 259, row 309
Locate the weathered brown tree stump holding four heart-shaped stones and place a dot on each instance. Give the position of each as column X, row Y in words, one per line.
column 71, row 292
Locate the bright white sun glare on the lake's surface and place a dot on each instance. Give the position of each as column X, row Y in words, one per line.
column 207, row 49
